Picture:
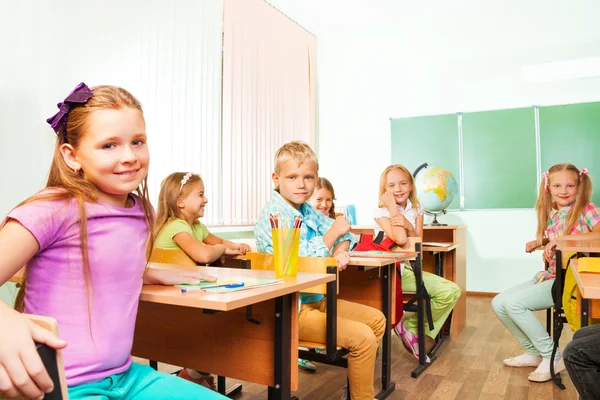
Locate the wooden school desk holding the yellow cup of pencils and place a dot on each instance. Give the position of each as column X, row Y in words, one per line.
column 251, row 335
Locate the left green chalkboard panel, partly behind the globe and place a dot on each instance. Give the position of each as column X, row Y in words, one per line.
column 432, row 139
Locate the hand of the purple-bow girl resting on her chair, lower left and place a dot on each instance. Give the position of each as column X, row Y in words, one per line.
column 22, row 373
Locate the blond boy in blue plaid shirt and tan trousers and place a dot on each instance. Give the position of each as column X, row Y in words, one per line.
column 359, row 327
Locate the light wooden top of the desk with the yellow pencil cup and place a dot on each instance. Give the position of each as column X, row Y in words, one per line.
column 228, row 301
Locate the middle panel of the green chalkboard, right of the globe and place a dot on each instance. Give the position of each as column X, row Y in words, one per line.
column 499, row 159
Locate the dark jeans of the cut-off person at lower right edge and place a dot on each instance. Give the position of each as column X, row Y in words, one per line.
column 582, row 359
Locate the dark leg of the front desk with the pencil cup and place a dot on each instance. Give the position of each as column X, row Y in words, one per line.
column 283, row 356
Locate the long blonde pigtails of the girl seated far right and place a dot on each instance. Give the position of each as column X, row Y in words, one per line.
column 544, row 204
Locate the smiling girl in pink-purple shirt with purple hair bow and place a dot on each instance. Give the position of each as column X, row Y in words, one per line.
column 83, row 239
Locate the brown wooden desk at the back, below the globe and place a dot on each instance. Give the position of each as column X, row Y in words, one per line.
column 448, row 262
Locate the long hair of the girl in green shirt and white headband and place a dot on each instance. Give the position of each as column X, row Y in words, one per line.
column 169, row 194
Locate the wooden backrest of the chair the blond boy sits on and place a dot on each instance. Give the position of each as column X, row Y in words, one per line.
column 264, row 261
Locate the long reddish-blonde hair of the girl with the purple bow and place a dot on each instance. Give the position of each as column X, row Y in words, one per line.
column 72, row 184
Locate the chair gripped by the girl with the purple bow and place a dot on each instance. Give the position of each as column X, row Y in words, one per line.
column 52, row 359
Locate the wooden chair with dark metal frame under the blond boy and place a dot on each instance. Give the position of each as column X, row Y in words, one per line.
column 334, row 355
